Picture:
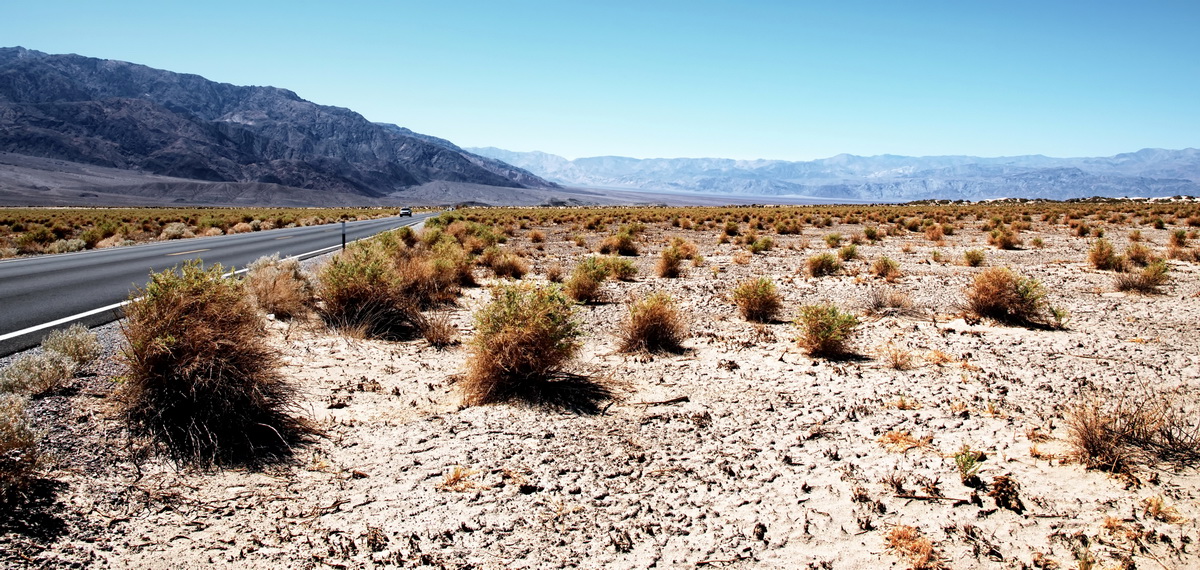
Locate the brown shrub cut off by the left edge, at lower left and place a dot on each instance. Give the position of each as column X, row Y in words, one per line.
column 20, row 455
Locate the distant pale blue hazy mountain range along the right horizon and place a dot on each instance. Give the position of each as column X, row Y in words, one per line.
column 886, row 178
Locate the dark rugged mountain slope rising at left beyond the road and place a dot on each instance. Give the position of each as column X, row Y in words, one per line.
column 131, row 117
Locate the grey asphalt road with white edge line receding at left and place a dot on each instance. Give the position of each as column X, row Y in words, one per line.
column 44, row 293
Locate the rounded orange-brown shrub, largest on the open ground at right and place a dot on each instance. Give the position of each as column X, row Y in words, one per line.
column 1000, row 295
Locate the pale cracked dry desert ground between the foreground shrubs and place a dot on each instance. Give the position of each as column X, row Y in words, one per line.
column 758, row 469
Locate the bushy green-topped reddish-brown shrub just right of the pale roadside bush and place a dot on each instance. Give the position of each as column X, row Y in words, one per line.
column 363, row 289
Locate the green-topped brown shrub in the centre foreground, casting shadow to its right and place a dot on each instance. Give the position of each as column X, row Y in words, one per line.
column 524, row 338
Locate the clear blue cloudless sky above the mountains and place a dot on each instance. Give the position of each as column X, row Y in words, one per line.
column 766, row 80
